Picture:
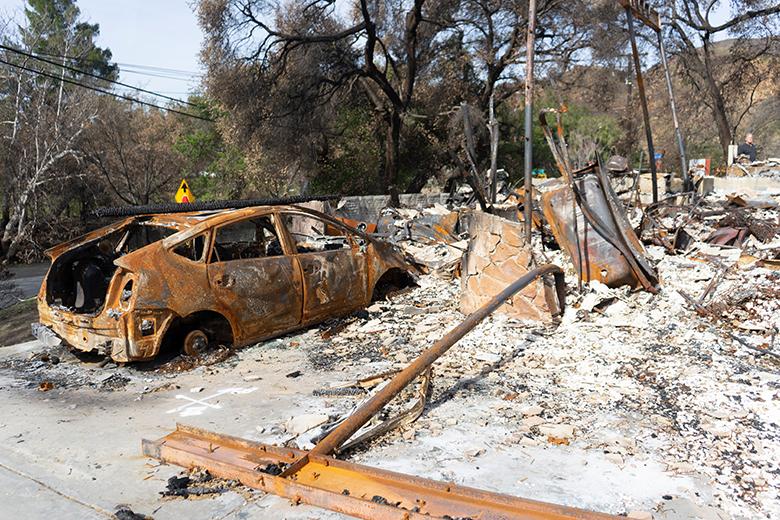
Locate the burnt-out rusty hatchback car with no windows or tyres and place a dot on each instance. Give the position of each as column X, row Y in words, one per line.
column 192, row 280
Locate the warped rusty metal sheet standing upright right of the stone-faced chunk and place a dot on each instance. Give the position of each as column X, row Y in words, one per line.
column 588, row 222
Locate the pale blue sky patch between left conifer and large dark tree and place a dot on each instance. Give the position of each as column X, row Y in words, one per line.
column 156, row 33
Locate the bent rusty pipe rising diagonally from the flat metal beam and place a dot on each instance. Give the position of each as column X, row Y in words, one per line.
column 371, row 407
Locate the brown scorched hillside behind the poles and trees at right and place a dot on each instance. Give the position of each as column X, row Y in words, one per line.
column 605, row 90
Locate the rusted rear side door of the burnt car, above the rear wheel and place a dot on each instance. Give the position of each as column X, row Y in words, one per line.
column 253, row 279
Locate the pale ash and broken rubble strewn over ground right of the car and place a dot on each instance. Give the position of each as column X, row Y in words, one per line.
column 636, row 378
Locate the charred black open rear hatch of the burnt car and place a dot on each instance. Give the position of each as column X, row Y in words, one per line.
column 79, row 279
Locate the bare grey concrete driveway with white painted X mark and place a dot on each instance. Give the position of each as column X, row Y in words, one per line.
column 83, row 446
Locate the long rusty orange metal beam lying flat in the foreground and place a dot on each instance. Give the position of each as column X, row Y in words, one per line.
column 352, row 489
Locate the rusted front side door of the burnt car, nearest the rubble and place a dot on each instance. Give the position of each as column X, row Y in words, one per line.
column 333, row 264
